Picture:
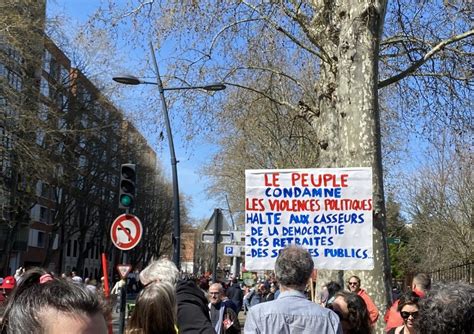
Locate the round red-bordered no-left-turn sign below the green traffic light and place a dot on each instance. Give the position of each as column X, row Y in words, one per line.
column 126, row 231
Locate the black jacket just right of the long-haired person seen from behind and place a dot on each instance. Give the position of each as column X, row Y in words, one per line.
column 193, row 312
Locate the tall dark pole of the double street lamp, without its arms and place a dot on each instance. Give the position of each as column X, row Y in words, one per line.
column 176, row 237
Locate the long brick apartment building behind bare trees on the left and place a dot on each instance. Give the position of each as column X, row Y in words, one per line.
column 57, row 204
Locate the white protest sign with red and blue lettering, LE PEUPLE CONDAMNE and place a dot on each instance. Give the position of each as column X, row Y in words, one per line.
column 327, row 211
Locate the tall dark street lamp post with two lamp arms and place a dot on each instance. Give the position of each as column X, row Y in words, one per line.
column 132, row 80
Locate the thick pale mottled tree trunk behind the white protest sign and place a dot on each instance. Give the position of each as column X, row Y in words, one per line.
column 349, row 123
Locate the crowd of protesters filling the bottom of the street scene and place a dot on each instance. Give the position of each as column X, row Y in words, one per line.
column 37, row 301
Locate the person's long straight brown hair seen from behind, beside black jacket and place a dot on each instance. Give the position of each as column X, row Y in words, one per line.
column 155, row 310
